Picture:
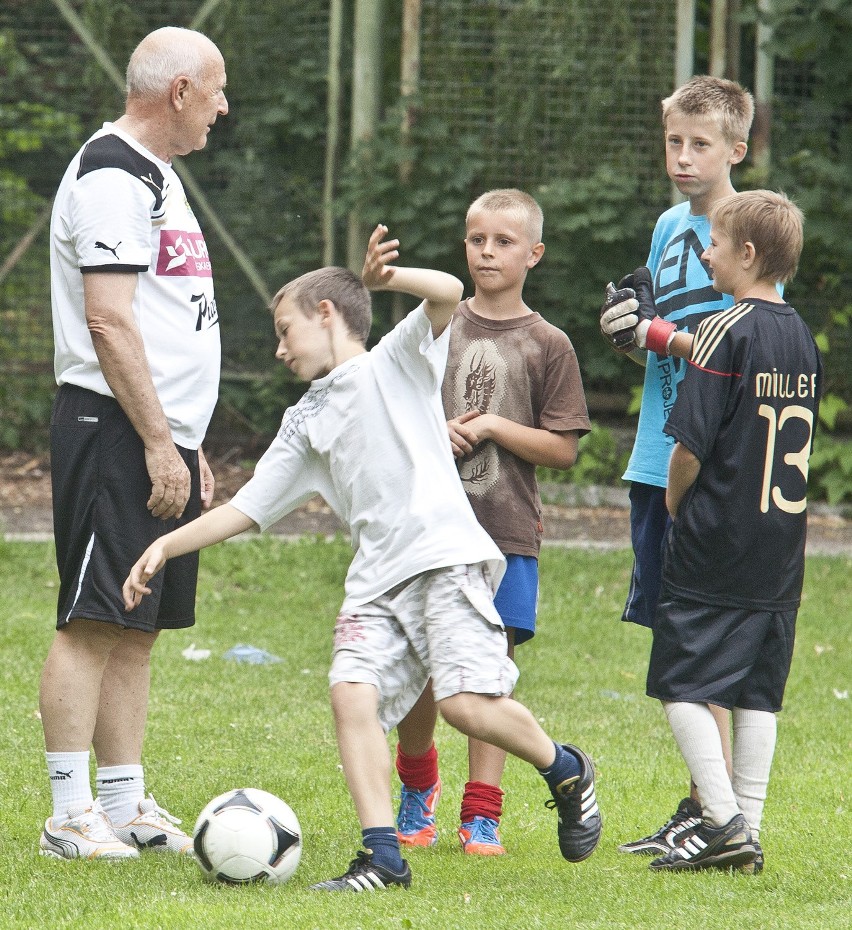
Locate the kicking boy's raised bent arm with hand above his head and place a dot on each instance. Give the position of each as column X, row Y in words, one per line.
column 441, row 292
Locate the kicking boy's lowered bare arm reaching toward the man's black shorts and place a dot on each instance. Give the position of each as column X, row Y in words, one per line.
column 211, row 527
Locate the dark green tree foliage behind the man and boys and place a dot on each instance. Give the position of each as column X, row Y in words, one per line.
column 482, row 119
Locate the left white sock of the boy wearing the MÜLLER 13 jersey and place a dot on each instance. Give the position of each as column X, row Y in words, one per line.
column 697, row 737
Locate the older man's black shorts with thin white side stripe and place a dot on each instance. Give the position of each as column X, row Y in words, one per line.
column 101, row 520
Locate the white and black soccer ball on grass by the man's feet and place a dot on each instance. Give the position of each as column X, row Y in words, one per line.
column 247, row 835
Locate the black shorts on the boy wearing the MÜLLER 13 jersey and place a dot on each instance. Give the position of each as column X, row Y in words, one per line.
column 729, row 656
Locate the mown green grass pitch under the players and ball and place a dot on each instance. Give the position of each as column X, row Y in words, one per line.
column 215, row 725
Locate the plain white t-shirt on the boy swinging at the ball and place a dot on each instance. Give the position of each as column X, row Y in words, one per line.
column 371, row 438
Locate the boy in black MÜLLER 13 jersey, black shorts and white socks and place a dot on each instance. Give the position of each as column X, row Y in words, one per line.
column 734, row 561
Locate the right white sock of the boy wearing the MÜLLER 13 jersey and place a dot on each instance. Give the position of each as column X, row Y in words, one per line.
column 754, row 746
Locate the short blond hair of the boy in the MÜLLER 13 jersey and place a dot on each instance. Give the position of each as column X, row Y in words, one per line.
column 771, row 222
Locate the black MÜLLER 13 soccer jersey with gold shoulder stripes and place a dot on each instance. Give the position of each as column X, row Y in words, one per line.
column 747, row 409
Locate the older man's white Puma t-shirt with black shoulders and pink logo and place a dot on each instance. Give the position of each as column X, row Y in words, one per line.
column 119, row 208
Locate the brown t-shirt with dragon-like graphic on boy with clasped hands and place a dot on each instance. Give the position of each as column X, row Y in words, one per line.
column 523, row 369
